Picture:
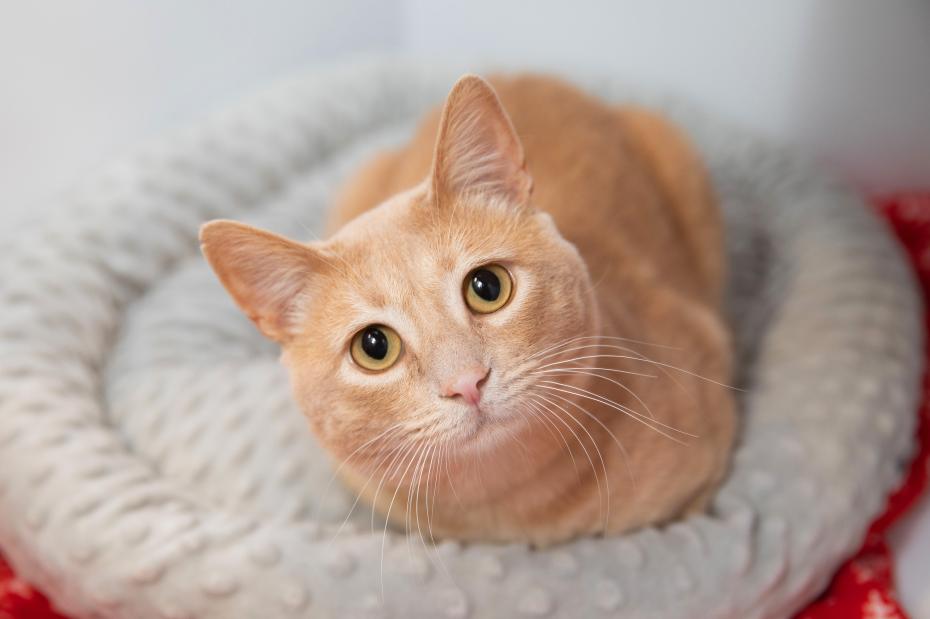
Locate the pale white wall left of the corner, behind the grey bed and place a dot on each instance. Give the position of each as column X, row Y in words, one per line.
column 82, row 81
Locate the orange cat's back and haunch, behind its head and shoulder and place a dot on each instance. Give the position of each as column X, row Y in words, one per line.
column 619, row 182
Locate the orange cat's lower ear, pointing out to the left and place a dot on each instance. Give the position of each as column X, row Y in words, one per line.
column 266, row 274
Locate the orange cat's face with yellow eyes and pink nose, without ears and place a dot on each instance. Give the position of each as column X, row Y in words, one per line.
column 397, row 334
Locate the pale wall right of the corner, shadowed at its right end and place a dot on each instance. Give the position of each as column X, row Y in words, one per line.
column 847, row 78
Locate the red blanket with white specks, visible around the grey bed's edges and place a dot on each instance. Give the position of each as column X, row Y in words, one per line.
column 864, row 586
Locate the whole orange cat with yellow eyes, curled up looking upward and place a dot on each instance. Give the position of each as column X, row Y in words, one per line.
column 513, row 331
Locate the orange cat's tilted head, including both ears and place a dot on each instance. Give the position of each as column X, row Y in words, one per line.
column 426, row 317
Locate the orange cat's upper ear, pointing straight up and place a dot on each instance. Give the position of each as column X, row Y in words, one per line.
column 477, row 149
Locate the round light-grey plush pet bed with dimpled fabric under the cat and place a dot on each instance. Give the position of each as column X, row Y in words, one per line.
column 152, row 464
